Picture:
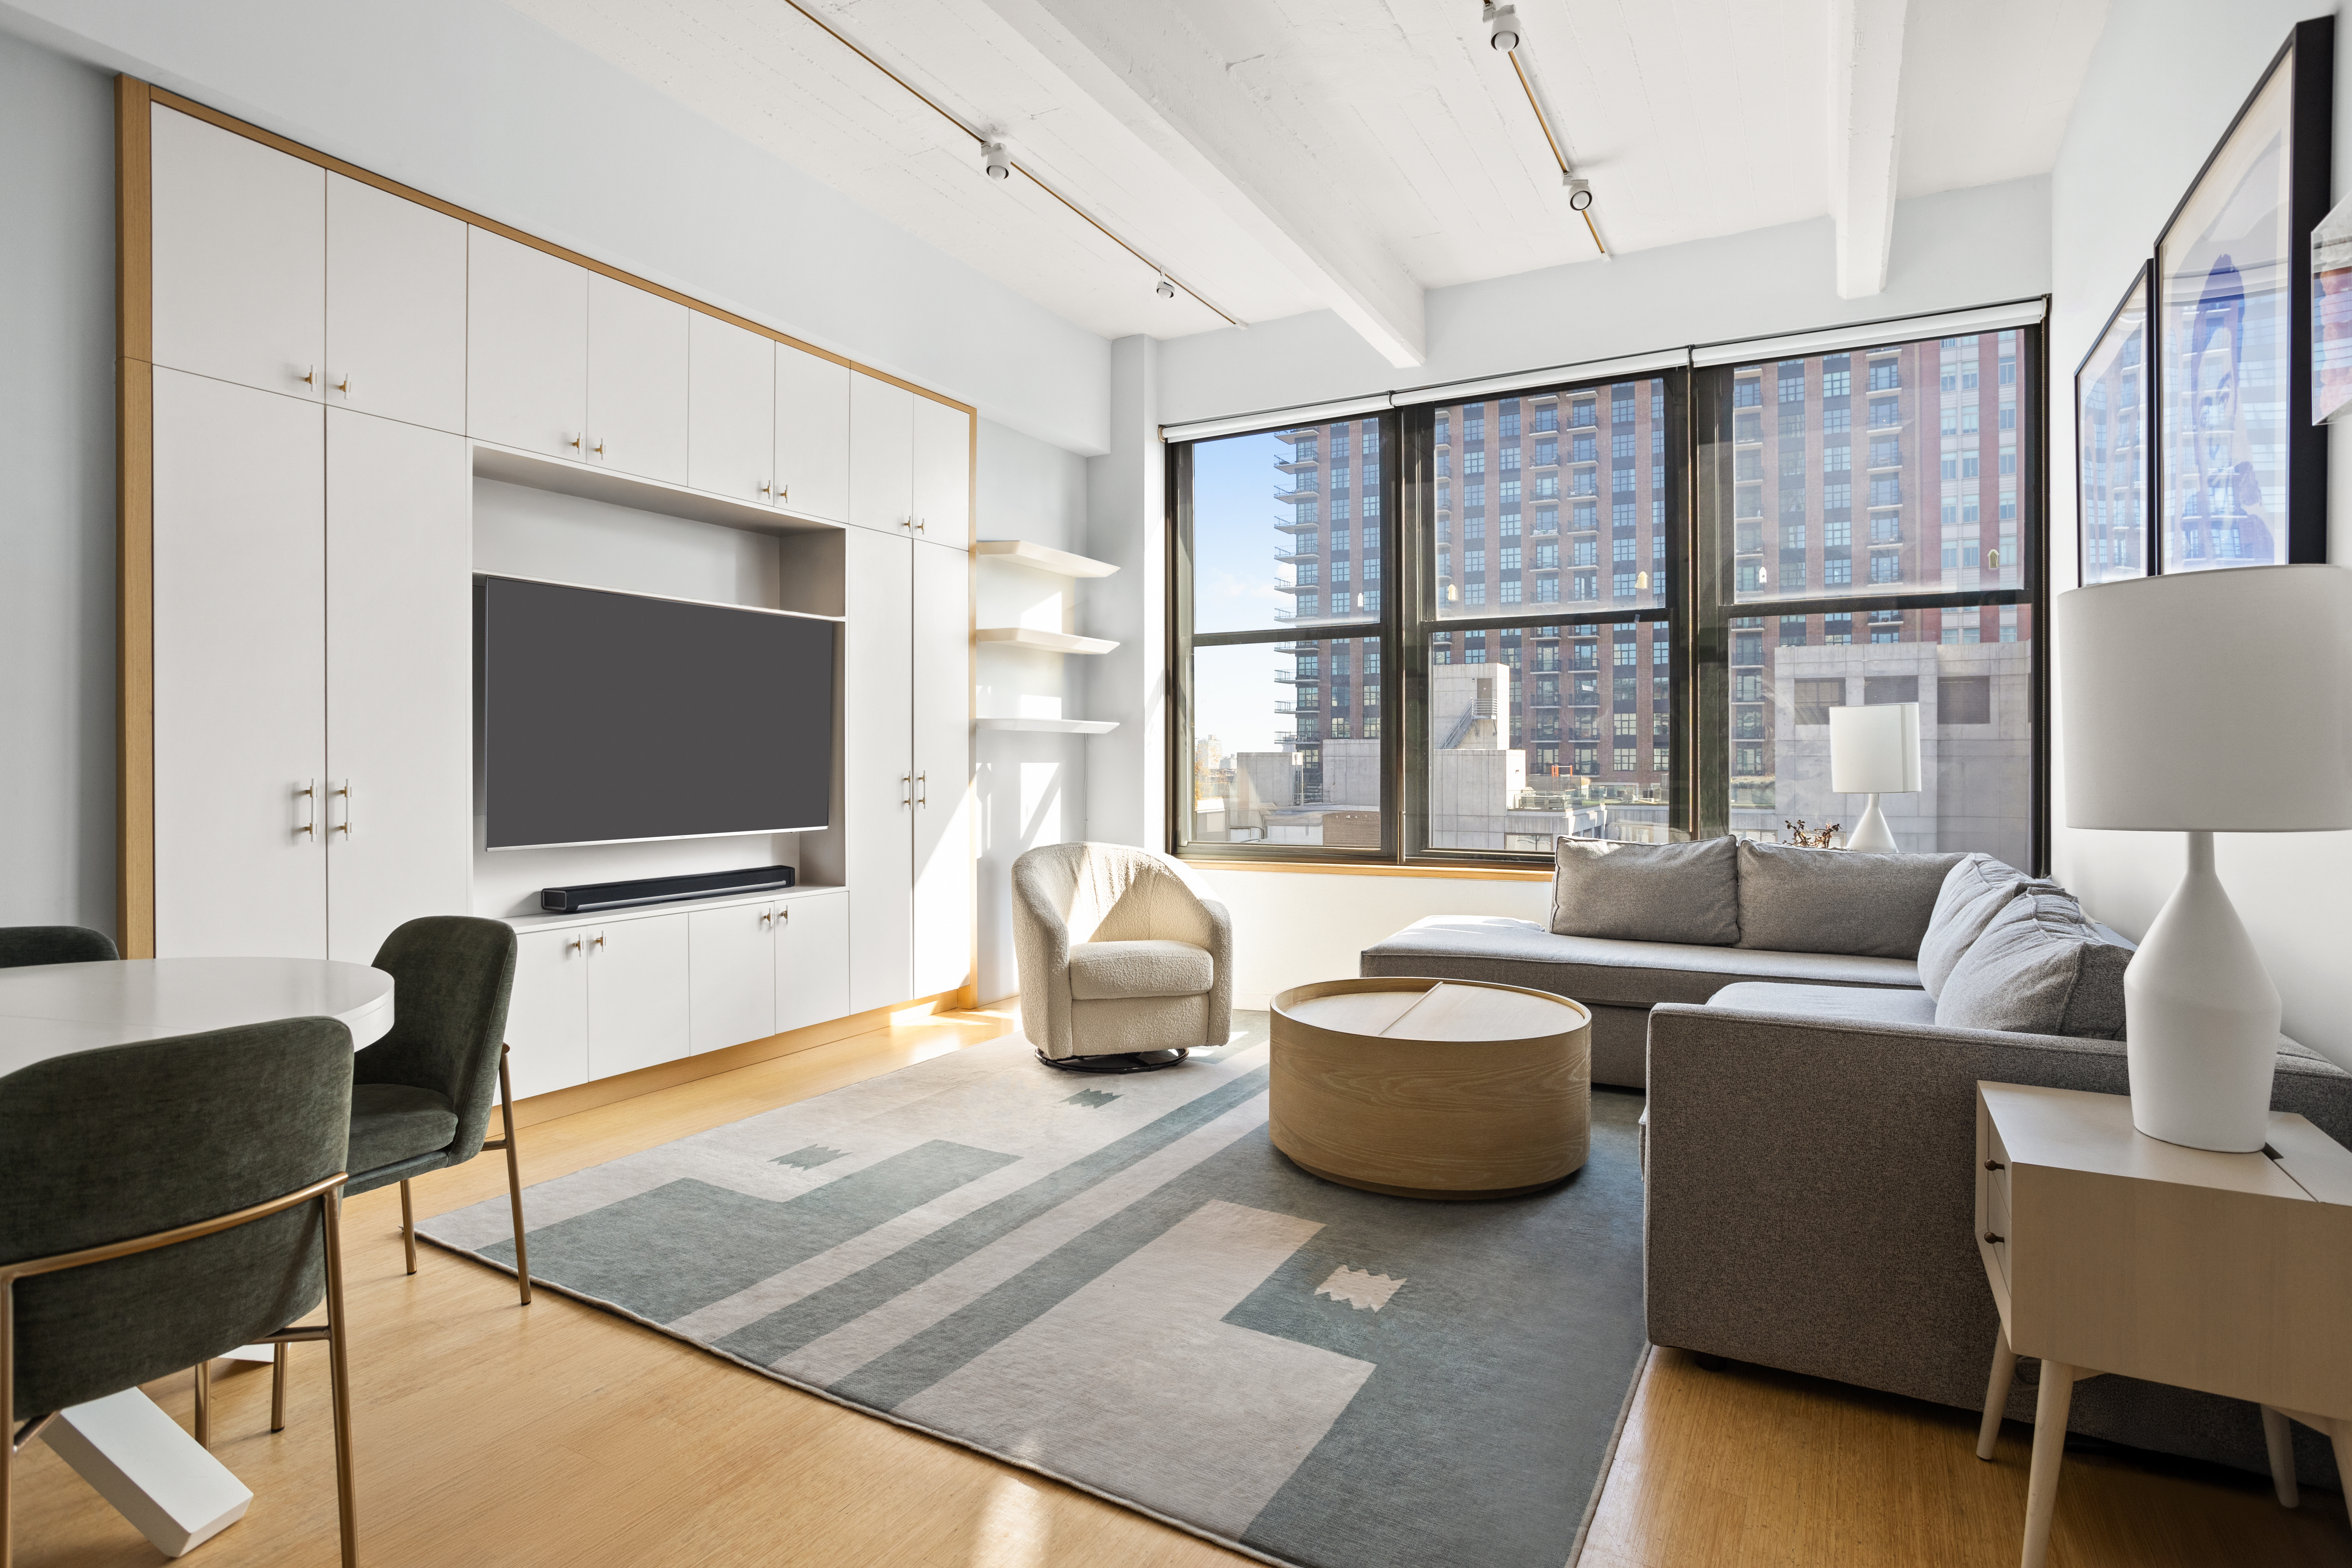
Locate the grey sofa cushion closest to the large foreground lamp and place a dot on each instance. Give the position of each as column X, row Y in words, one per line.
column 2038, row 970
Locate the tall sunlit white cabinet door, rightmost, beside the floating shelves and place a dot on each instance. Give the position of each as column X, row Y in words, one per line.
column 944, row 876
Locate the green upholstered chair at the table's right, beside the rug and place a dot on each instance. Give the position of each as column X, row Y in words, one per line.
column 422, row 1094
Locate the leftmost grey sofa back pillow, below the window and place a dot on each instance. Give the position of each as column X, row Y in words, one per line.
column 1648, row 892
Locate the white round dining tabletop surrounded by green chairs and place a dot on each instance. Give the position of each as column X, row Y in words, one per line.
column 51, row 1010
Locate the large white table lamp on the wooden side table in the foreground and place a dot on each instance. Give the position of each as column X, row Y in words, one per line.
column 2153, row 674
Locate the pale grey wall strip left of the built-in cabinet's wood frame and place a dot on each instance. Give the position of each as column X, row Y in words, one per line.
column 58, row 490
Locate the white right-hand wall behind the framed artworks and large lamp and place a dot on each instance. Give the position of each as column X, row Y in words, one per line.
column 2160, row 93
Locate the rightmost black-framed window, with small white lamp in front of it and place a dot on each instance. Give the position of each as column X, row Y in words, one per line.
column 1878, row 511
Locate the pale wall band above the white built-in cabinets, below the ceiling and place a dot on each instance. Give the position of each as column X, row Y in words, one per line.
column 476, row 105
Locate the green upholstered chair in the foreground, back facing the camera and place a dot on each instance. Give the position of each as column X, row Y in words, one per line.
column 166, row 1202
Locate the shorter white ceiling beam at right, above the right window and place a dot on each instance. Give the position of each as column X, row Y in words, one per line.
column 1866, row 102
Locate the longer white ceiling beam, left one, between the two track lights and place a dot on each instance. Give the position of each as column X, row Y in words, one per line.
column 1196, row 112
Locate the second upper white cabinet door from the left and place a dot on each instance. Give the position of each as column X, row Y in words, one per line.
column 396, row 307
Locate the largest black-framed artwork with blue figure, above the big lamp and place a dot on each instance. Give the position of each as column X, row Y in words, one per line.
column 2240, row 476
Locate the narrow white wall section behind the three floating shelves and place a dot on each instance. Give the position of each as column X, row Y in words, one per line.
column 1031, row 789
